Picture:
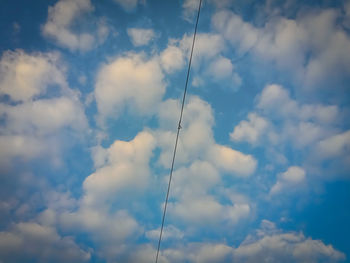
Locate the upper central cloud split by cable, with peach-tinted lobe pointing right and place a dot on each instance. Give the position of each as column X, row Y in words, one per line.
column 196, row 141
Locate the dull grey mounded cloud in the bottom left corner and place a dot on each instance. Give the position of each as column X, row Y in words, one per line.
column 31, row 240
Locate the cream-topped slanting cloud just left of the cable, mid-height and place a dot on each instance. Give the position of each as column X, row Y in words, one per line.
column 126, row 167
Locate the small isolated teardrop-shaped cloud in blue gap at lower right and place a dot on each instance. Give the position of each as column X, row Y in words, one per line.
column 292, row 178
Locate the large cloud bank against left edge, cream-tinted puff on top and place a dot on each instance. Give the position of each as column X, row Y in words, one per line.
column 30, row 117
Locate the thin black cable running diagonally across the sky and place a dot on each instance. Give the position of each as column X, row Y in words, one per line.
column 178, row 130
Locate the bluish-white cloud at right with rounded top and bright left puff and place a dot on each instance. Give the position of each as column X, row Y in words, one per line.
column 281, row 119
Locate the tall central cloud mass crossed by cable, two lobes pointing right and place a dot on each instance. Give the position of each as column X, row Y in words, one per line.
column 200, row 161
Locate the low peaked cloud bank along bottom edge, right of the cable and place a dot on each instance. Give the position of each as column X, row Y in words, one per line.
column 268, row 244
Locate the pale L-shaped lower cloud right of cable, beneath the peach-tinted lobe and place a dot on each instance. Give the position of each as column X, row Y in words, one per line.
column 193, row 203
